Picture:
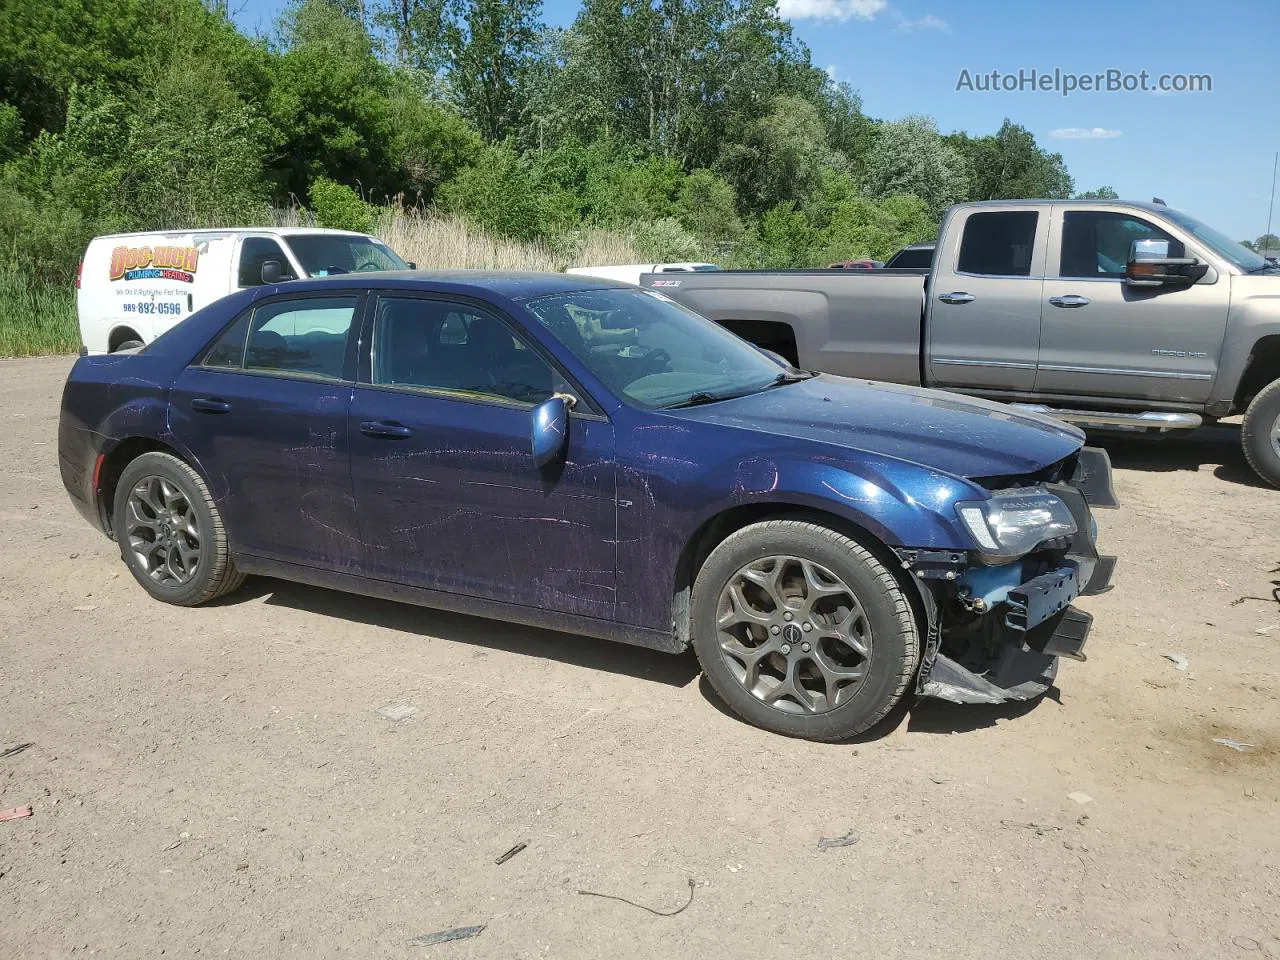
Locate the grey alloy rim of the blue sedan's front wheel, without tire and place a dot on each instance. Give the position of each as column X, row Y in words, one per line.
column 794, row 634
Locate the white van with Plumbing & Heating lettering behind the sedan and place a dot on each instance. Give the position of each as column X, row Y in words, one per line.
column 132, row 287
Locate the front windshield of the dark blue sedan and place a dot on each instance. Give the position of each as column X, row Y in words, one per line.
column 652, row 351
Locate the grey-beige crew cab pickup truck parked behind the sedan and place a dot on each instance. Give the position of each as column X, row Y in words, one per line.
column 1105, row 314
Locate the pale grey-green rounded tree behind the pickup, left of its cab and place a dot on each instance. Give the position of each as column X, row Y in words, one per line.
column 911, row 157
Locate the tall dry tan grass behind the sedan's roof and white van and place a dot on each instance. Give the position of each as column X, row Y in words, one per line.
column 449, row 243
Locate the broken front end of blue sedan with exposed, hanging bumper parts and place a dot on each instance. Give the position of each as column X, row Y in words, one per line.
column 1036, row 619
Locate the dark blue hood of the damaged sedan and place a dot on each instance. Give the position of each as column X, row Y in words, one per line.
column 945, row 432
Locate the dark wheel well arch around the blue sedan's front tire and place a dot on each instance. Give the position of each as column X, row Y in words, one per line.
column 716, row 531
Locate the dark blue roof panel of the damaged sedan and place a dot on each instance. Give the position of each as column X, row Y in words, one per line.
column 508, row 285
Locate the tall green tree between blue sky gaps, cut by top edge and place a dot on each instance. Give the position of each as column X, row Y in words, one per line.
column 491, row 47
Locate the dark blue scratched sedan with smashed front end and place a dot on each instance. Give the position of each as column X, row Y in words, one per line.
column 568, row 454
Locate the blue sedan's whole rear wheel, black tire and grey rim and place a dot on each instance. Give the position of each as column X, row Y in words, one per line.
column 171, row 534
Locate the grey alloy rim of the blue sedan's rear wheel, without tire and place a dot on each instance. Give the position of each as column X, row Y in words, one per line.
column 163, row 531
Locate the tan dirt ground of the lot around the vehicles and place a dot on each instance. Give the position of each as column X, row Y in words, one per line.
column 218, row 781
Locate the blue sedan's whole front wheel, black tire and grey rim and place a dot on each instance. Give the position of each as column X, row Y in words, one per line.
column 803, row 632
